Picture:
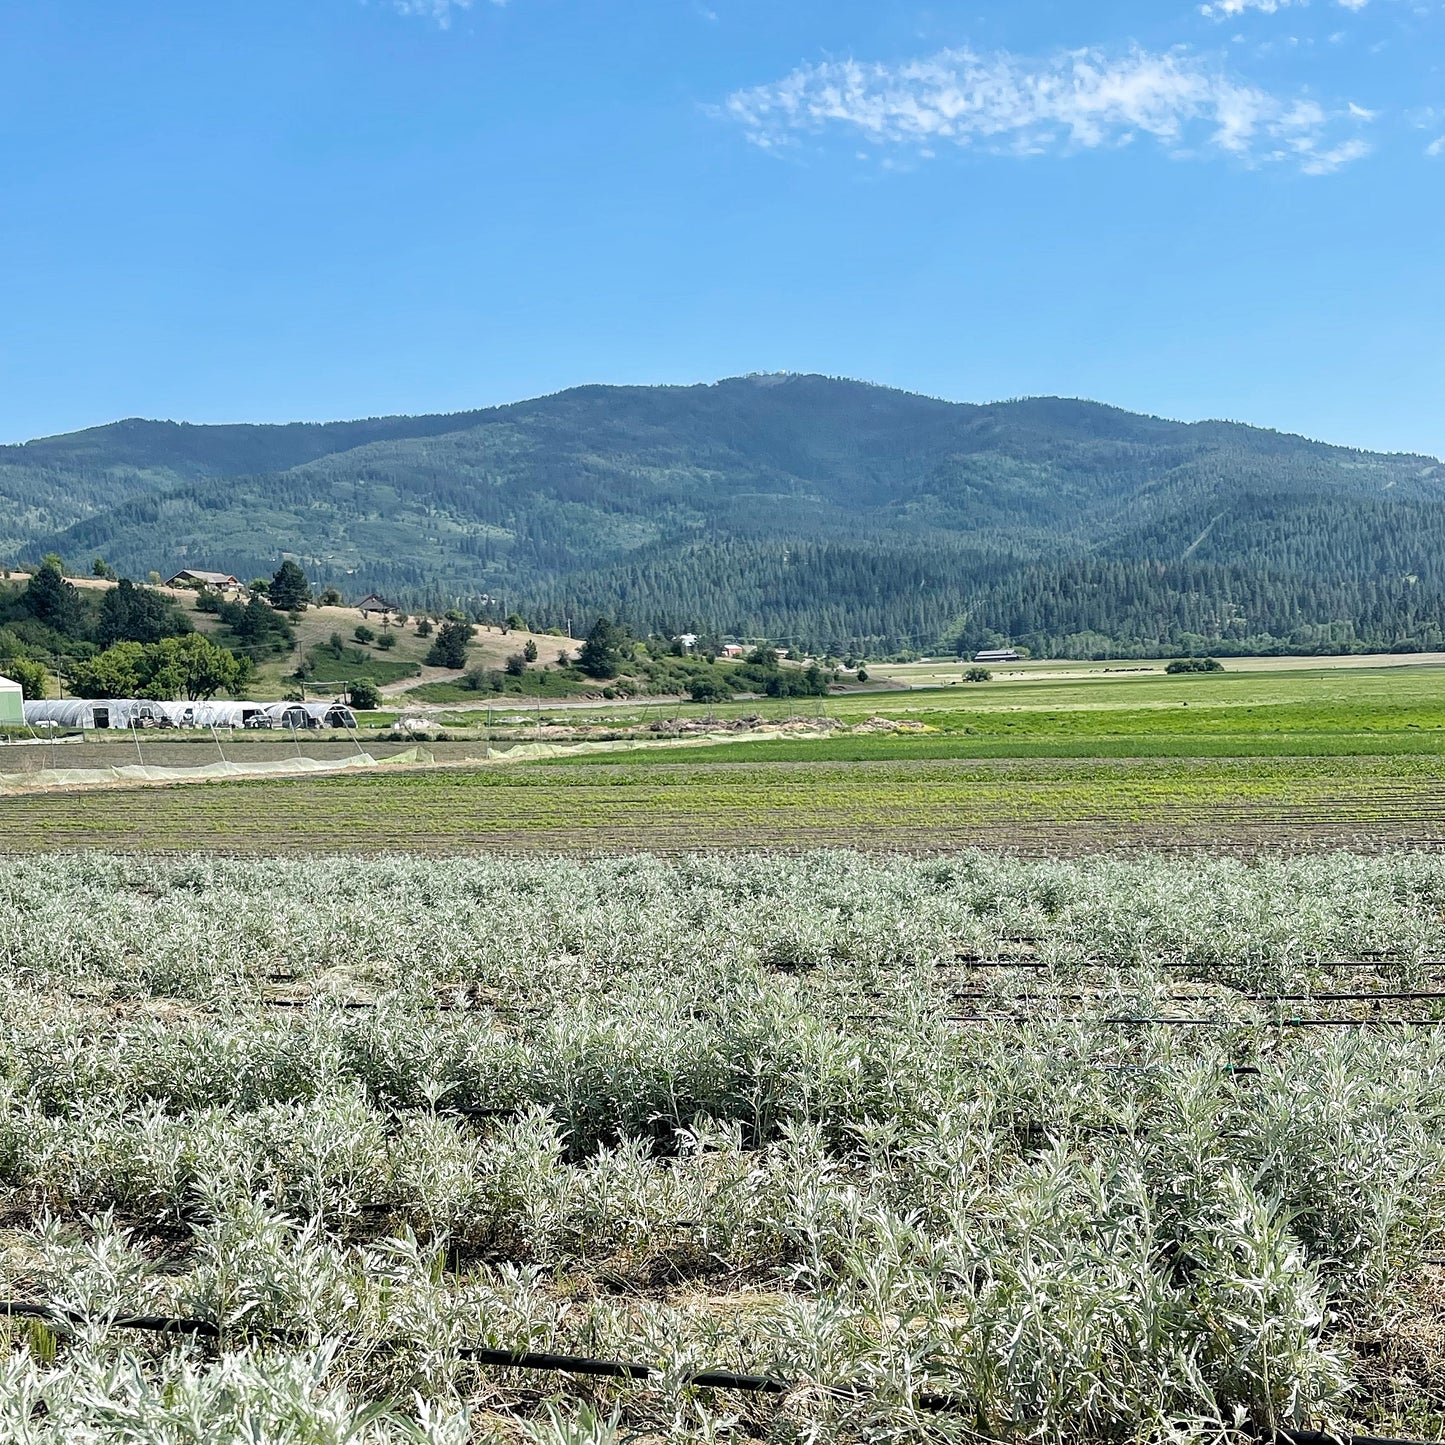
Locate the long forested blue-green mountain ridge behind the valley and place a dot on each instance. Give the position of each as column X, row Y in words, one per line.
column 824, row 511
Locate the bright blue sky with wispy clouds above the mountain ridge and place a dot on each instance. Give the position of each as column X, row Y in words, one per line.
column 275, row 210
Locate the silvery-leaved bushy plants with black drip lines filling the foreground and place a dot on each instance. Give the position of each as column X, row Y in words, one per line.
column 967, row 1148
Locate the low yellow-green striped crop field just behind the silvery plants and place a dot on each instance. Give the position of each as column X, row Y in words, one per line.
column 1045, row 806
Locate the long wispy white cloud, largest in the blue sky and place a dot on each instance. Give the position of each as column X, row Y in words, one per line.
column 1077, row 100
